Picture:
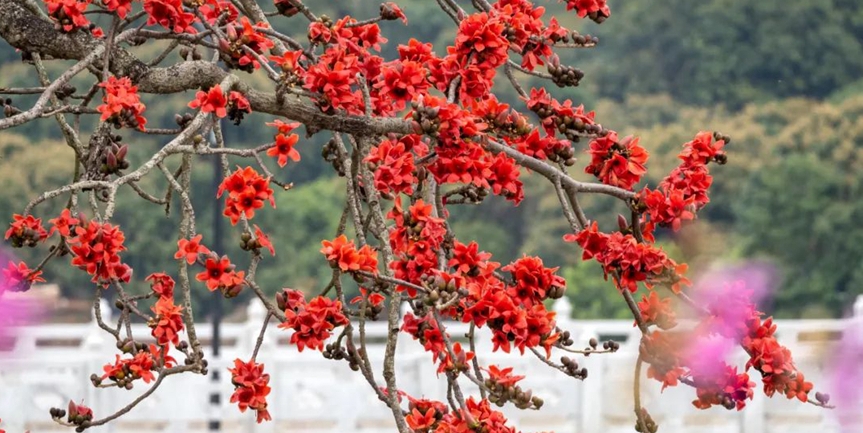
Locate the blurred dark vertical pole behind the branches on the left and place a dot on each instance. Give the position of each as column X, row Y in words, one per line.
column 217, row 244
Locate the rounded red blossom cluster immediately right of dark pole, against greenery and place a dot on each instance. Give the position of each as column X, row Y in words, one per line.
column 247, row 191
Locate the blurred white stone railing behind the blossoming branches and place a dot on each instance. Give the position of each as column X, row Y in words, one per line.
column 51, row 364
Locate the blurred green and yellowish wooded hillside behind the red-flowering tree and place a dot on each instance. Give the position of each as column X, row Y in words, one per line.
column 784, row 78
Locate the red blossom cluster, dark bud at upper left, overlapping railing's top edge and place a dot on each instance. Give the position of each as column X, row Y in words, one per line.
column 311, row 322
